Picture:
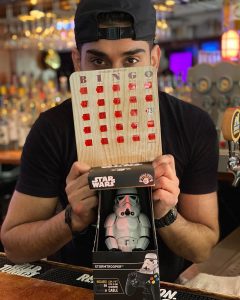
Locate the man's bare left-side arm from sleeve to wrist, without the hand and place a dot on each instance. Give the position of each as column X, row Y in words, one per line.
column 30, row 231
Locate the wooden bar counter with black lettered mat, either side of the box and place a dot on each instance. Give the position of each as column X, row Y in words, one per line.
column 52, row 280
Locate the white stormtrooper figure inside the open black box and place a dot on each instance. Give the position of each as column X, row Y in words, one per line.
column 127, row 228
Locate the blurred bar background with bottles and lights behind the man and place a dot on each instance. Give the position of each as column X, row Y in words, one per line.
column 199, row 40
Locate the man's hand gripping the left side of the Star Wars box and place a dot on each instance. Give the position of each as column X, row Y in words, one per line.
column 82, row 199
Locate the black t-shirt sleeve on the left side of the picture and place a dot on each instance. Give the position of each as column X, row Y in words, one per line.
column 40, row 161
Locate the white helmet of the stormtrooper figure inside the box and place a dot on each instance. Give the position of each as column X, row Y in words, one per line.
column 126, row 203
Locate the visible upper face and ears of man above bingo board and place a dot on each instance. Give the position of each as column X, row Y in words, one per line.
column 107, row 54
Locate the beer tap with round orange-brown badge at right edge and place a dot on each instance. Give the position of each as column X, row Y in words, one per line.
column 231, row 133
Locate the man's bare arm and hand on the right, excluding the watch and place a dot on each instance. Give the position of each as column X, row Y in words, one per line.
column 195, row 231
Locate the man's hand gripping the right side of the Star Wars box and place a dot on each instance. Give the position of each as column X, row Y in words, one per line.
column 166, row 189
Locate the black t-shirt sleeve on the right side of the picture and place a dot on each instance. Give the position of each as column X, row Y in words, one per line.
column 200, row 176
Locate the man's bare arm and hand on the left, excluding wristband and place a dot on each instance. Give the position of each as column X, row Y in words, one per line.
column 32, row 231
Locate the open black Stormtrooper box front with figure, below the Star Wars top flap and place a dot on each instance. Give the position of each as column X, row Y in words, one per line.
column 125, row 257
